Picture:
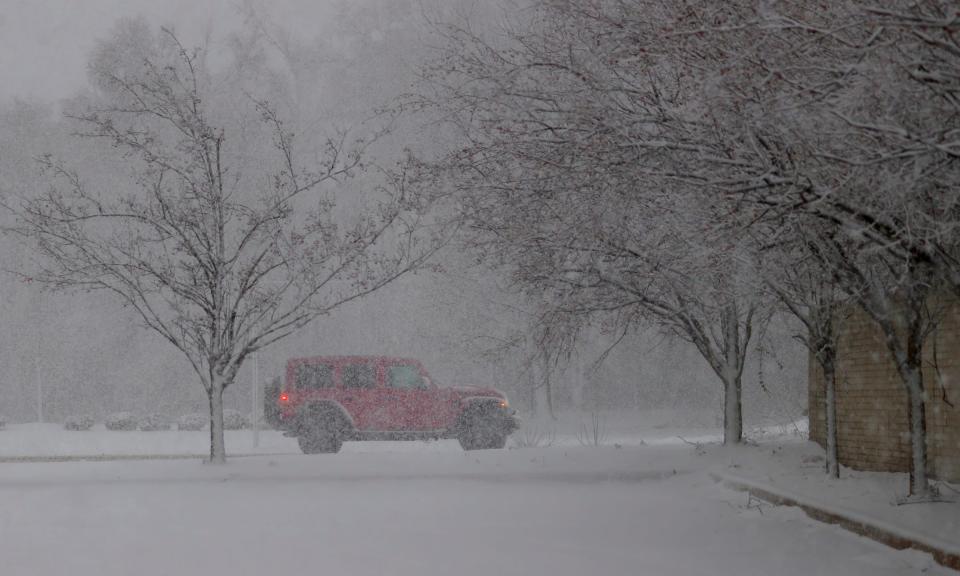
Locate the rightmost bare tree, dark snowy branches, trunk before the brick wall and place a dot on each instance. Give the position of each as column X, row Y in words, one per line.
column 858, row 103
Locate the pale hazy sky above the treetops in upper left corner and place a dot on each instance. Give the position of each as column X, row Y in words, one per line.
column 44, row 43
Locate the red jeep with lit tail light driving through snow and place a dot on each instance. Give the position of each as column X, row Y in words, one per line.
column 328, row 399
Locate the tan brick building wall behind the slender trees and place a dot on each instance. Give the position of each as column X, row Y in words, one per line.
column 872, row 407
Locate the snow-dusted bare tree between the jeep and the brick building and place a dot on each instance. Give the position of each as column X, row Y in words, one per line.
column 587, row 169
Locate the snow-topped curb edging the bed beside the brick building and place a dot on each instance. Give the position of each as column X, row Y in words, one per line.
column 943, row 554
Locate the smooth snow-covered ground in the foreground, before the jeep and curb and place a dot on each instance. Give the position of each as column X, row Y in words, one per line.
column 419, row 509
